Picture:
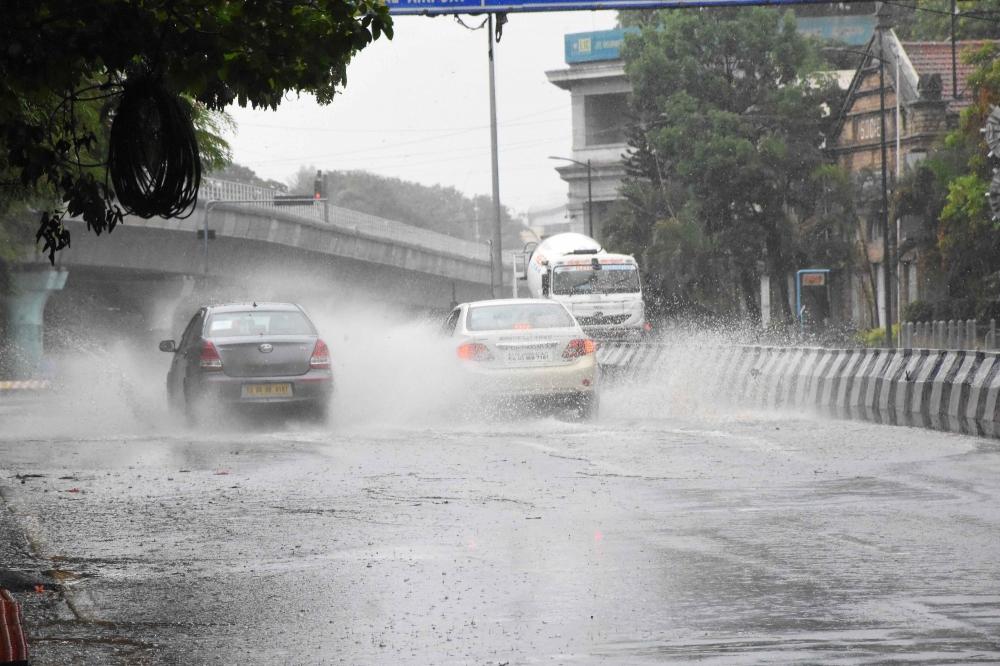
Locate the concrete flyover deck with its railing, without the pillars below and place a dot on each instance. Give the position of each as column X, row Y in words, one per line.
column 251, row 241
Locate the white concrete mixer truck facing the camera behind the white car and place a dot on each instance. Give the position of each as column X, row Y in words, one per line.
column 601, row 289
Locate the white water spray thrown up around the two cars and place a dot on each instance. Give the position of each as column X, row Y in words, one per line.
column 391, row 368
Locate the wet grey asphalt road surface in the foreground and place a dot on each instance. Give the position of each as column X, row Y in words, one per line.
column 649, row 537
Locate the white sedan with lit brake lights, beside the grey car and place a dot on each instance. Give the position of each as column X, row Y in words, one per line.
column 525, row 350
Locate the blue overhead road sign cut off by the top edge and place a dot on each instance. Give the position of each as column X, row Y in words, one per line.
column 431, row 7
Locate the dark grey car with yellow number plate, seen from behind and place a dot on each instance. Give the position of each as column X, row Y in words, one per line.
column 249, row 354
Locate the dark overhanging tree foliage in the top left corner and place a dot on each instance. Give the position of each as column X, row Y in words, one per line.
column 73, row 72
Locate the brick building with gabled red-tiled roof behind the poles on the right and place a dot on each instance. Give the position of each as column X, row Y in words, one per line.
column 922, row 102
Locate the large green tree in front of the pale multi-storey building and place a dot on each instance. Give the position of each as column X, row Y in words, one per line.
column 726, row 149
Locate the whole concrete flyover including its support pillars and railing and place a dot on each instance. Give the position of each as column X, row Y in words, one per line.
column 253, row 250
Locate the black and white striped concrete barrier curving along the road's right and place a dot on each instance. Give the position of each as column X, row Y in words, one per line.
column 942, row 389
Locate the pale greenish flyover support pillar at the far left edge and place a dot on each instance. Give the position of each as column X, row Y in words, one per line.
column 25, row 318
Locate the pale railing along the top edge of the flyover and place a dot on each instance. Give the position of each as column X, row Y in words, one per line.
column 249, row 195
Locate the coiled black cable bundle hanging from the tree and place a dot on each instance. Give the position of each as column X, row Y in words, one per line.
column 153, row 159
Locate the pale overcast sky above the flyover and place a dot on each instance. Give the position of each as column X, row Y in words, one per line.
column 417, row 108
